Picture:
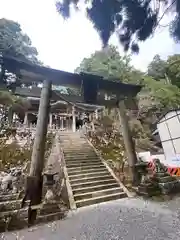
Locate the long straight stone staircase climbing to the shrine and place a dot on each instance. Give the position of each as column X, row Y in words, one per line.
column 91, row 181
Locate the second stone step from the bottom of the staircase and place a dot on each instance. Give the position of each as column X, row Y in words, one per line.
column 99, row 193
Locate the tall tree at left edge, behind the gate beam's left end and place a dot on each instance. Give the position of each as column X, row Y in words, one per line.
column 14, row 43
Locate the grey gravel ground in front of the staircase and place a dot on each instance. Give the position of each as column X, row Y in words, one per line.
column 125, row 219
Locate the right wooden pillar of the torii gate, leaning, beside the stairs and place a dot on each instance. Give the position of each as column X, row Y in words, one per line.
column 128, row 142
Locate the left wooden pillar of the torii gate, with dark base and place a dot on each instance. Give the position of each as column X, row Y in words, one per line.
column 35, row 179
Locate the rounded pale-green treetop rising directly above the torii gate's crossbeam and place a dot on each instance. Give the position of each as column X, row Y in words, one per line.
column 109, row 64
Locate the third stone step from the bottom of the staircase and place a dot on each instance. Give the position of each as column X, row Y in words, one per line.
column 95, row 188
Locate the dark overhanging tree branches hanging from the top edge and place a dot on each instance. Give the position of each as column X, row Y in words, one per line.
column 131, row 20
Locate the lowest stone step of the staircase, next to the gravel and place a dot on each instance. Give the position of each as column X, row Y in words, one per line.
column 100, row 199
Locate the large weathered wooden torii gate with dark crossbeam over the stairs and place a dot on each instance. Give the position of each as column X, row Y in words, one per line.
column 90, row 85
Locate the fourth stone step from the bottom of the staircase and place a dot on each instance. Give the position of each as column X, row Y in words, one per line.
column 92, row 183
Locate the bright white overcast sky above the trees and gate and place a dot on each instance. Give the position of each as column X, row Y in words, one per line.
column 63, row 44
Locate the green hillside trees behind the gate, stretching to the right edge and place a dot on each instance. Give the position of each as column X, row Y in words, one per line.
column 160, row 91
